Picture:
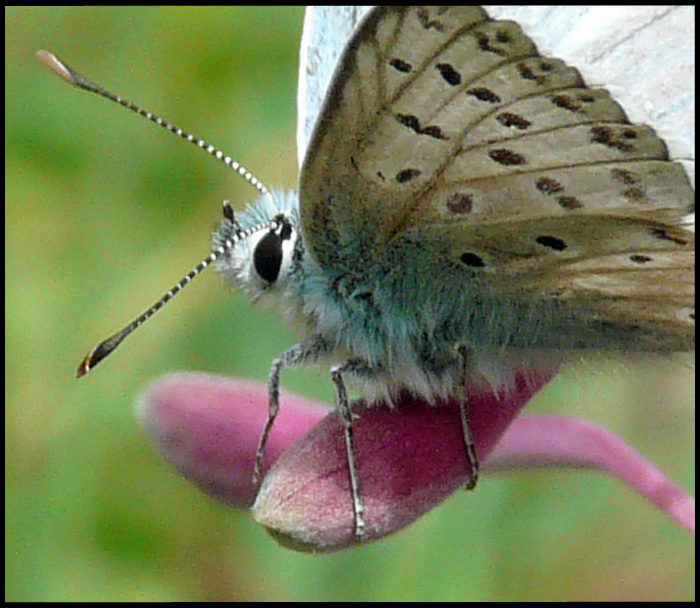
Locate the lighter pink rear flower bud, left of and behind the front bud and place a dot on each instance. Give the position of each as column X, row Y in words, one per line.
column 208, row 427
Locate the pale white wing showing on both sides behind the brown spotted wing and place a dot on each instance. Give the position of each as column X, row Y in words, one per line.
column 645, row 56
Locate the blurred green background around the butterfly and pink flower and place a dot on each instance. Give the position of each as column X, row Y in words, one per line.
column 104, row 212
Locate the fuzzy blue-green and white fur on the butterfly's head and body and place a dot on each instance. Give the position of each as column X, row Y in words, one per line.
column 405, row 315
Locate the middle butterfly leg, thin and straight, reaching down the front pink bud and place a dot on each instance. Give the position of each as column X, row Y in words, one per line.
column 357, row 367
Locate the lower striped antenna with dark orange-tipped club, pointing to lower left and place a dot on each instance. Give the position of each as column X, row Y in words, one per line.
column 109, row 345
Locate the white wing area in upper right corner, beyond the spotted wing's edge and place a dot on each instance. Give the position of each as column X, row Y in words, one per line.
column 644, row 55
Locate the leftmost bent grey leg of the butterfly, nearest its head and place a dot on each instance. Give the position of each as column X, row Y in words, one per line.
column 308, row 351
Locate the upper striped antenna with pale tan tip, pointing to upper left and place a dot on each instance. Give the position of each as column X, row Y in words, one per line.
column 69, row 75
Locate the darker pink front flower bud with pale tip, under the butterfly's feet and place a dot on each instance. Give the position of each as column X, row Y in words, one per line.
column 410, row 459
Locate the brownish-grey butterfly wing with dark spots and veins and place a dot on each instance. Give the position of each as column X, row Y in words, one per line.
column 448, row 129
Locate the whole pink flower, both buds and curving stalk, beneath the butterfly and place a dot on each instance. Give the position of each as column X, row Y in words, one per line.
column 410, row 457
